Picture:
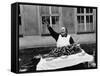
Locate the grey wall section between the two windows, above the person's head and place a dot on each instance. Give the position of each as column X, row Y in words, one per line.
column 68, row 18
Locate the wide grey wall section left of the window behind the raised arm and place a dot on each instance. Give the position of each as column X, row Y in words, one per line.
column 29, row 17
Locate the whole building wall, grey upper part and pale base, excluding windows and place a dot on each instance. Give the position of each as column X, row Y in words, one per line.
column 31, row 25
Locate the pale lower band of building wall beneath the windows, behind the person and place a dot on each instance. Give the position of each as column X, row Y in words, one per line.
column 38, row 41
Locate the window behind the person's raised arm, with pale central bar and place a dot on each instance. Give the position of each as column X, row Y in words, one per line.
column 51, row 15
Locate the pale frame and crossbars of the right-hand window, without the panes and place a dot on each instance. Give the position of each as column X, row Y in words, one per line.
column 83, row 14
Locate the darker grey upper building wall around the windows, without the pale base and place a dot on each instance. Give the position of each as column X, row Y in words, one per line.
column 31, row 23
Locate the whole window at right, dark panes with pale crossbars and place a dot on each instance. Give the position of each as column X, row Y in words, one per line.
column 84, row 20
